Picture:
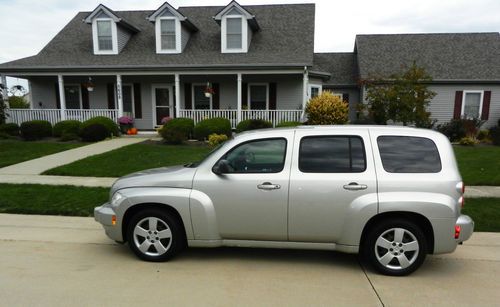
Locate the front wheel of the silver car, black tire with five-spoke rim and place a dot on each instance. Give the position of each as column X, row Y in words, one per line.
column 159, row 246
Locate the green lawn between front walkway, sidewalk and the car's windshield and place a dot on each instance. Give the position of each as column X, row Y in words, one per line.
column 131, row 159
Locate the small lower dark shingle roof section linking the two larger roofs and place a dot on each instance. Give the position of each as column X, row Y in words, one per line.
column 342, row 66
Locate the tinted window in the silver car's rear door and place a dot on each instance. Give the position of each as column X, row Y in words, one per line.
column 332, row 154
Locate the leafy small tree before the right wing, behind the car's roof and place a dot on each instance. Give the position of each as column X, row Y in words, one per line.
column 401, row 98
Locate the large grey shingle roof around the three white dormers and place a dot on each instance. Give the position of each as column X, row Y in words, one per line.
column 286, row 39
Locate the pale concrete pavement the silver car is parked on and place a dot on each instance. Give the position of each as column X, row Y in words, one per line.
column 61, row 261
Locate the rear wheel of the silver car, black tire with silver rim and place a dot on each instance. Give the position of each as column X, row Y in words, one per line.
column 391, row 260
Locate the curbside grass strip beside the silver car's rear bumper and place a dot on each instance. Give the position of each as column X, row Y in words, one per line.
column 485, row 212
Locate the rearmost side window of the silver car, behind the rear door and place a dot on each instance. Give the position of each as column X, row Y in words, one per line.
column 408, row 154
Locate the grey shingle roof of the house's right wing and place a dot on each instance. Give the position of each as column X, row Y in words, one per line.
column 447, row 56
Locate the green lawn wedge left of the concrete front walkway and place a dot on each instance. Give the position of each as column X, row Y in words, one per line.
column 13, row 151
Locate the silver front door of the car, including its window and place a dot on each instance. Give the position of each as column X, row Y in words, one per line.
column 251, row 197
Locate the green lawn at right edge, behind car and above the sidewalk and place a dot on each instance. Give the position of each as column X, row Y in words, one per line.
column 479, row 165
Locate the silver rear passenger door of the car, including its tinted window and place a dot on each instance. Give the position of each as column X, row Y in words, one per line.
column 330, row 180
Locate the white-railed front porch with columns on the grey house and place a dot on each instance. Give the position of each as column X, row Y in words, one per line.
column 148, row 98
